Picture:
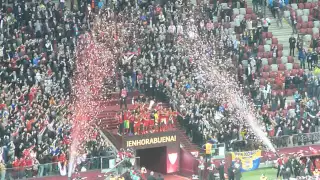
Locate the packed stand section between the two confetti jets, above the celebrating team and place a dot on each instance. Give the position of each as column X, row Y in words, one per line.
column 156, row 63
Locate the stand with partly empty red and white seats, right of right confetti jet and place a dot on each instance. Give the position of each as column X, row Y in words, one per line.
column 271, row 77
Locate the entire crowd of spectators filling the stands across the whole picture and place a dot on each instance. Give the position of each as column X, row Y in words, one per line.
column 38, row 41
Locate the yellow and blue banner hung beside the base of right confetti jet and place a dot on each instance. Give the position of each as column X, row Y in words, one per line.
column 250, row 160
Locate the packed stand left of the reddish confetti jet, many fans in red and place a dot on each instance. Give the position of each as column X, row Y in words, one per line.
column 37, row 62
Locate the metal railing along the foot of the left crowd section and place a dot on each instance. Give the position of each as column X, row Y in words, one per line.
column 52, row 169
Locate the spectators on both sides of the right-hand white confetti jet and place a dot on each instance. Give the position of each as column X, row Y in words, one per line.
column 161, row 69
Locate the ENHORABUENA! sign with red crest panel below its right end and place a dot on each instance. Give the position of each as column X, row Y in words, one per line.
column 168, row 139
